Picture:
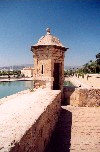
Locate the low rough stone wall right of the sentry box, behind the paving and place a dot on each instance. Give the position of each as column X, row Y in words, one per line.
column 82, row 97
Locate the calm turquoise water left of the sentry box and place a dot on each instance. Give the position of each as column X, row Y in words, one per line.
column 9, row 88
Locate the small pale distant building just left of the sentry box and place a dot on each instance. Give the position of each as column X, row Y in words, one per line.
column 27, row 71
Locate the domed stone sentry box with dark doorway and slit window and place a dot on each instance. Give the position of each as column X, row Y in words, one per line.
column 48, row 56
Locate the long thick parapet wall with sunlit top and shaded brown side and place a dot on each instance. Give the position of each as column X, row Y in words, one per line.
column 27, row 121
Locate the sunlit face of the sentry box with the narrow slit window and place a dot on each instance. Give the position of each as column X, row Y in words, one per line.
column 42, row 56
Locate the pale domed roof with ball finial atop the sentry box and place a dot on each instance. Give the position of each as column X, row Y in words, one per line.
column 49, row 39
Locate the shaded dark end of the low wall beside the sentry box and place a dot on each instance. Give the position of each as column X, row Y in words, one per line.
column 67, row 92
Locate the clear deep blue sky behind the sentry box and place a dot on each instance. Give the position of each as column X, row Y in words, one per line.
column 75, row 22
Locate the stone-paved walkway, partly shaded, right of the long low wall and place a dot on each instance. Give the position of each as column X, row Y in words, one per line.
column 78, row 130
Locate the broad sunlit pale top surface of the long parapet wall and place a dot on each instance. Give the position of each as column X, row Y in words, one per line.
column 18, row 114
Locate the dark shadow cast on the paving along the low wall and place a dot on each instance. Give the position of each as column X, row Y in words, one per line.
column 61, row 137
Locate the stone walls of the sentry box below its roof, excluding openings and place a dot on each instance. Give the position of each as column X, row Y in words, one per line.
column 46, row 56
